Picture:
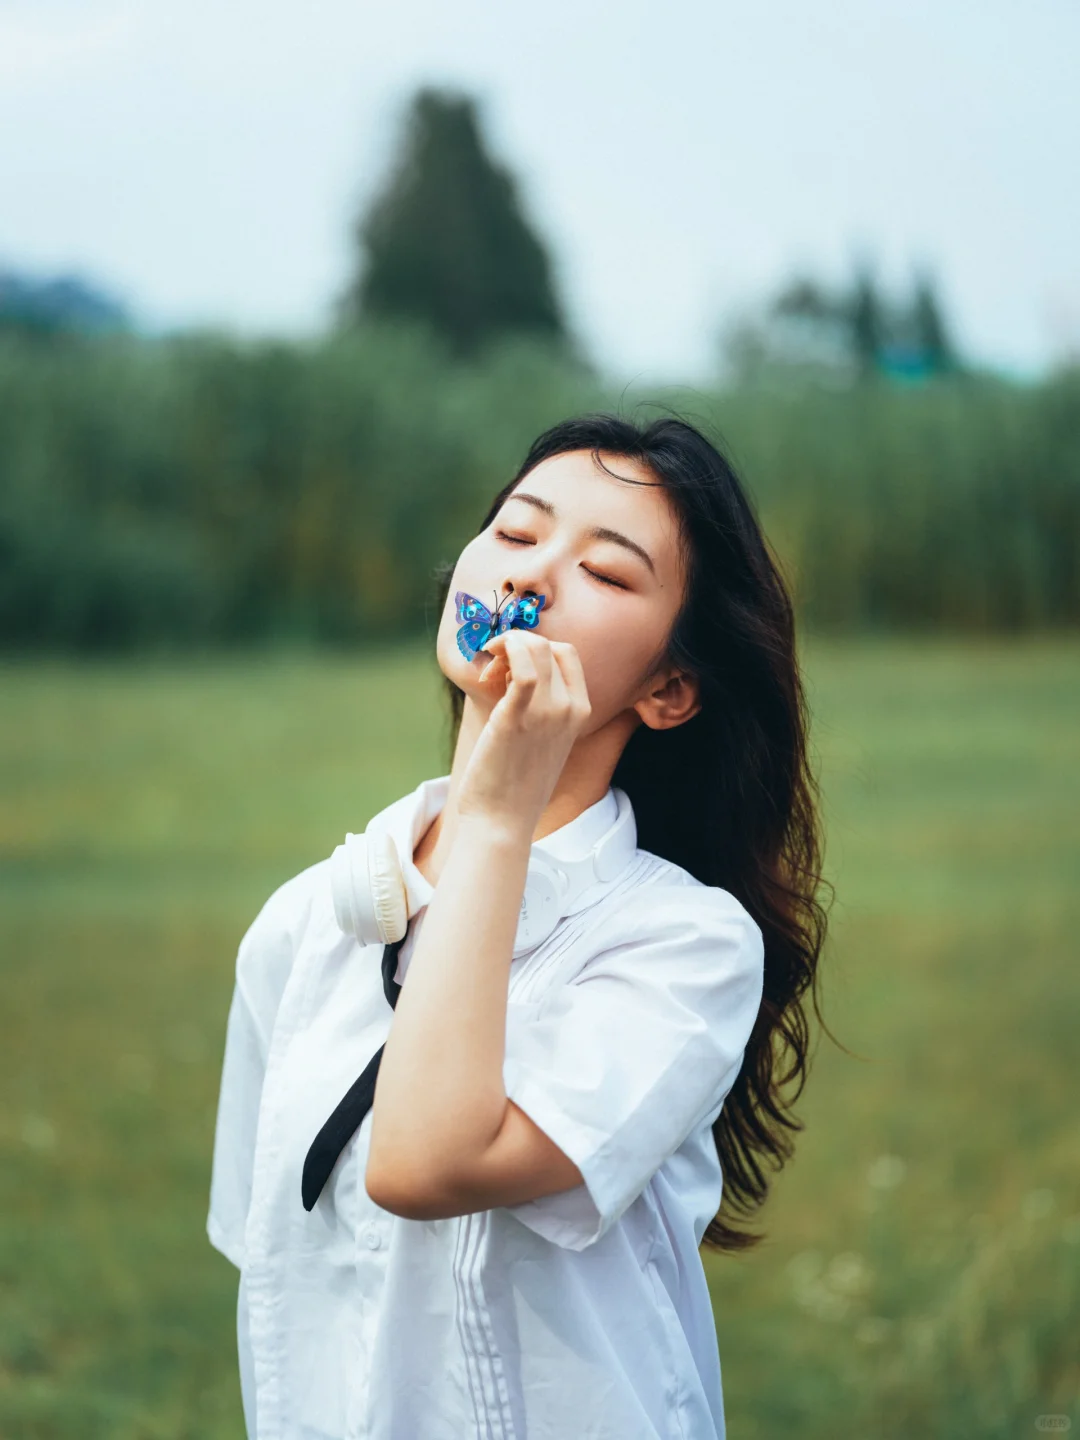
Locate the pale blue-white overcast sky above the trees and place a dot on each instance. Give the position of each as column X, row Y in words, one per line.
column 205, row 158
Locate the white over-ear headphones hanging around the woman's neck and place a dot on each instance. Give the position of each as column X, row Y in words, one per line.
column 371, row 899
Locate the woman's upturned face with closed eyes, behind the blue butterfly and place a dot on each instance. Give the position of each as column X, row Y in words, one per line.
column 607, row 558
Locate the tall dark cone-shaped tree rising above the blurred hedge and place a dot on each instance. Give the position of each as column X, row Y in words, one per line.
column 447, row 241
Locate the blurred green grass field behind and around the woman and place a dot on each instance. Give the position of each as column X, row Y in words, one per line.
column 922, row 1266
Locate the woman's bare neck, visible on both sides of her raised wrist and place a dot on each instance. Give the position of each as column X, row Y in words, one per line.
column 585, row 780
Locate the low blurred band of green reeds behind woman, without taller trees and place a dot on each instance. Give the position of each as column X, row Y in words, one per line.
column 202, row 489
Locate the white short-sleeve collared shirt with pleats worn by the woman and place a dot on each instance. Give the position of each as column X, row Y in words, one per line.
column 582, row 1314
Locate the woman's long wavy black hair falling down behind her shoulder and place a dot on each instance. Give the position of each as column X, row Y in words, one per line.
column 729, row 794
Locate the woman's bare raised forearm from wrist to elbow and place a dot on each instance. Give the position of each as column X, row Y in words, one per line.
column 440, row 1098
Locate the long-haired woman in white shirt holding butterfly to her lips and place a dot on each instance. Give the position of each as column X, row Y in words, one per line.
column 506, row 1243
